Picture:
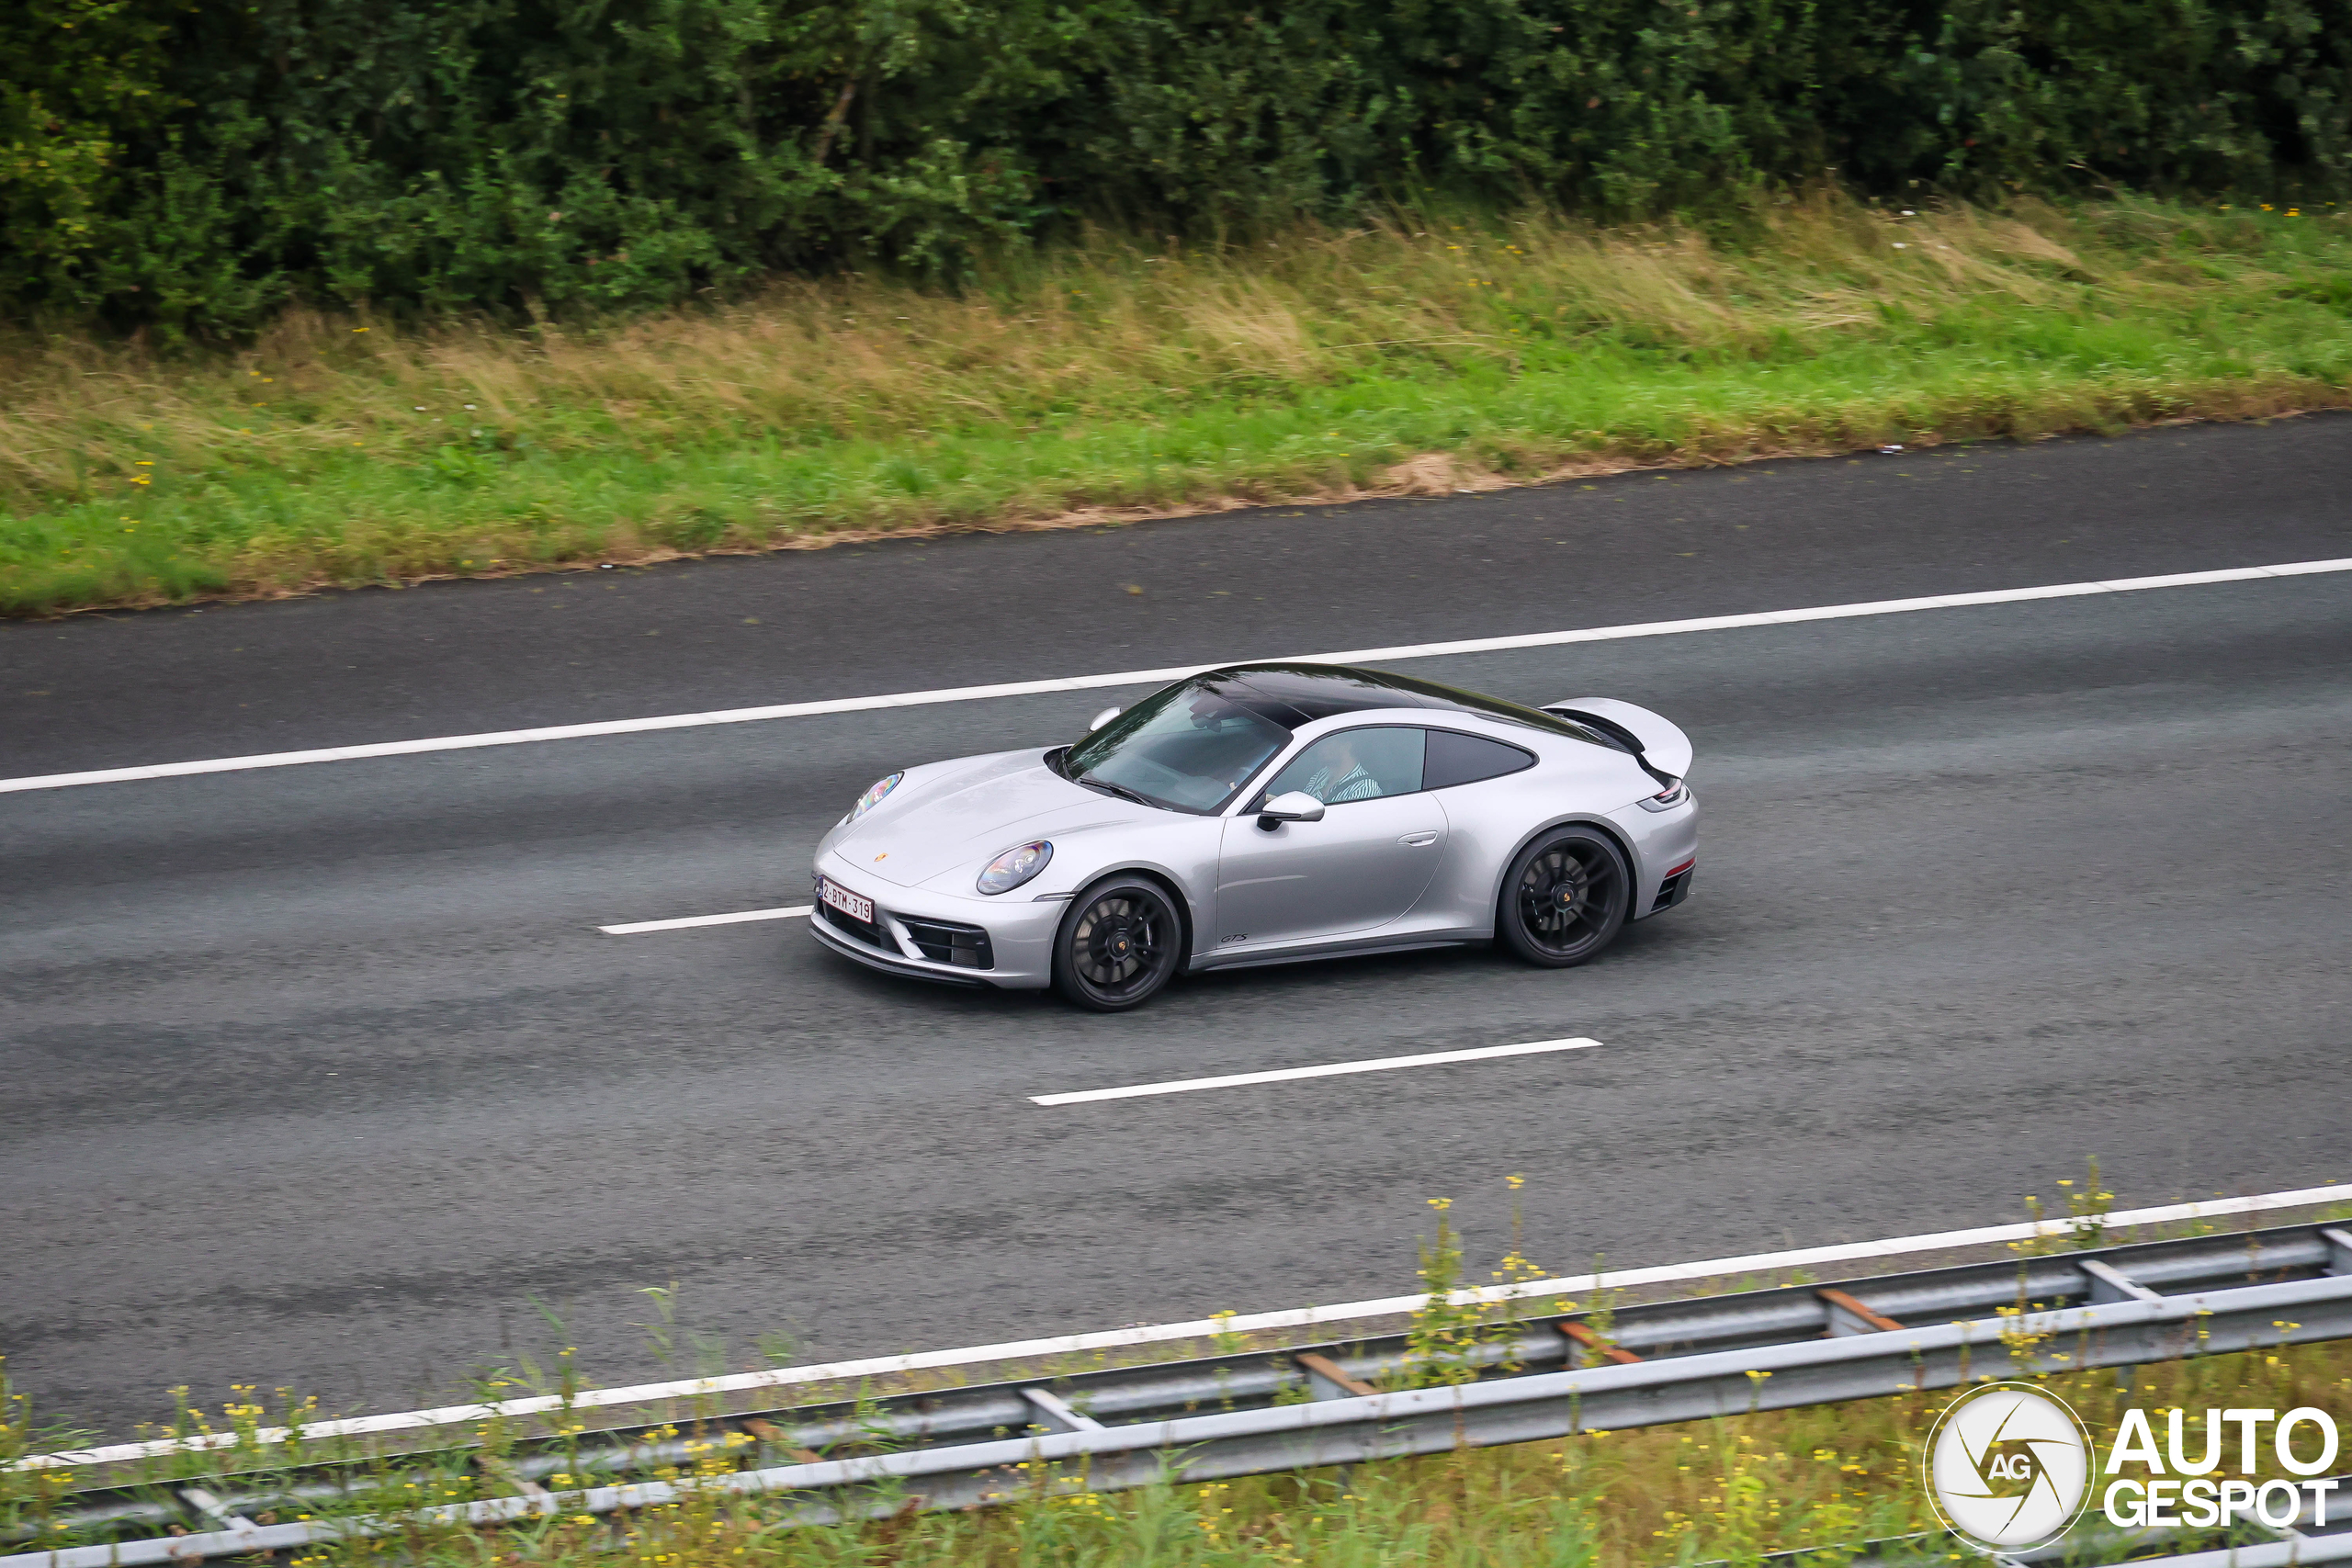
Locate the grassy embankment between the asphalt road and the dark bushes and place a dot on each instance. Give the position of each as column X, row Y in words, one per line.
column 1118, row 380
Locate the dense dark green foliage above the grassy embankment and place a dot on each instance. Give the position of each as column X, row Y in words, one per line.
column 196, row 163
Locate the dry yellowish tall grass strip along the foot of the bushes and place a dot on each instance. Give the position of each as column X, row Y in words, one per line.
column 1097, row 333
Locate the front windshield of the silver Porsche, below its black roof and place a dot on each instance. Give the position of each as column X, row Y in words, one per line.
column 1187, row 749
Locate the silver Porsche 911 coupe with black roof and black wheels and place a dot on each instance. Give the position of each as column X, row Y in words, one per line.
column 1267, row 815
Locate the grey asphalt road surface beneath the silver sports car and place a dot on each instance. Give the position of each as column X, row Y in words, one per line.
column 326, row 1078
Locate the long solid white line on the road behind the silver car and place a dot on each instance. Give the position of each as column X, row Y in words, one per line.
column 1144, row 678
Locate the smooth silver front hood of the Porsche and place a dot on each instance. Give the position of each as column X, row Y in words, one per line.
column 968, row 812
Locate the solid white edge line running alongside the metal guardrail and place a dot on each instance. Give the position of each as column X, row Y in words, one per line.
column 1201, row 1329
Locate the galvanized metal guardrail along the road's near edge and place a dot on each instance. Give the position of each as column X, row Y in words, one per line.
column 1297, row 1409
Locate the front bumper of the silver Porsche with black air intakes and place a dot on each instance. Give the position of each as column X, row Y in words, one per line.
column 1020, row 932
